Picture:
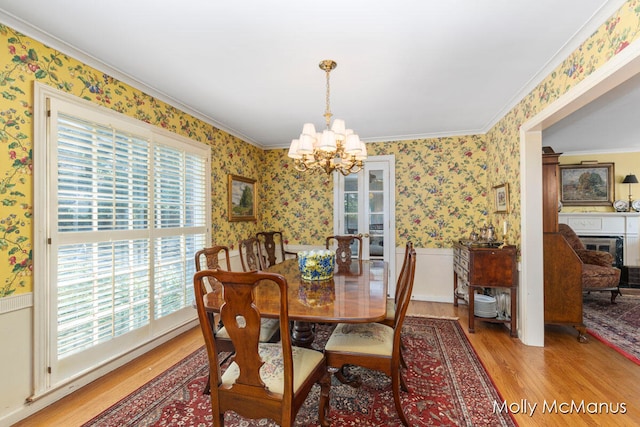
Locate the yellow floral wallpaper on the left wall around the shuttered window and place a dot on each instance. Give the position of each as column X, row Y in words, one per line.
column 24, row 61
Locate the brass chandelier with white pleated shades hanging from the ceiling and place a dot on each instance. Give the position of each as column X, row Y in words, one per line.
column 335, row 148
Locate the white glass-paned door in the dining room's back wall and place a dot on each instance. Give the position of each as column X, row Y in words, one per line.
column 364, row 204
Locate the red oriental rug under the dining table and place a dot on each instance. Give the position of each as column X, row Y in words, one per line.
column 448, row 387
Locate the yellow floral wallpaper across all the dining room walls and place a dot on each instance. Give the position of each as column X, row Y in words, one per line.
column 444, row 185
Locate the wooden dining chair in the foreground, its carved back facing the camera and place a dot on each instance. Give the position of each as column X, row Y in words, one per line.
column 264, row 380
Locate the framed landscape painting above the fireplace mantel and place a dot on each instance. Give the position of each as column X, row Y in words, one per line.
column 587, row 184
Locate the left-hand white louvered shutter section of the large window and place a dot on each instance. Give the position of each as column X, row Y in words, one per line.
column 103, row 186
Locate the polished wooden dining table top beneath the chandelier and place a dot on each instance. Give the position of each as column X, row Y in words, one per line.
column 356, row 295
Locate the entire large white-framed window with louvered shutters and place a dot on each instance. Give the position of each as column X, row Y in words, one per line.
column 127, row 206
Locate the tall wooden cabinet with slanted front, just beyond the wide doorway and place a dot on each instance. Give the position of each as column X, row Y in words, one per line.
column 562, row 267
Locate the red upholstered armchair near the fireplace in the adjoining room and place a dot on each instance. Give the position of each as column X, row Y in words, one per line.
column 598, row 274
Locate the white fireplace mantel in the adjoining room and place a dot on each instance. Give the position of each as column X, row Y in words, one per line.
column 625, row 224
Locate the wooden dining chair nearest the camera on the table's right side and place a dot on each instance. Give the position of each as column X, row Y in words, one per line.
column 374, row 345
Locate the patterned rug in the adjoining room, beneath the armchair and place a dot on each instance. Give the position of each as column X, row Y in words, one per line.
column 616, row 325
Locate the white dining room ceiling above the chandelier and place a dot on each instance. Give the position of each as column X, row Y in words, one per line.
column 406, row 69
